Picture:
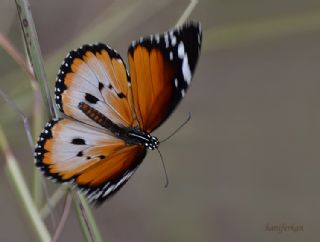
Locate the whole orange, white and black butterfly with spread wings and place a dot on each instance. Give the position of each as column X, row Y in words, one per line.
column 110, row 114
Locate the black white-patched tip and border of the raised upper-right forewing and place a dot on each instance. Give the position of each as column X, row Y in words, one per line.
column 180, row 46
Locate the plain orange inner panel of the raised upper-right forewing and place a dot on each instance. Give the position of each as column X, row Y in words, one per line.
column 151, row 77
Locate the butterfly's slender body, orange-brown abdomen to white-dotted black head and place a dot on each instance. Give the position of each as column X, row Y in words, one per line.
column 129, row 135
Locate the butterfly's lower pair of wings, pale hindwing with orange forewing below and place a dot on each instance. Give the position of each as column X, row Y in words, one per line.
column 84, row 157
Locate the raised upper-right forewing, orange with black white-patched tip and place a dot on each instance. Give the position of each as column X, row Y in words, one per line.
column 161, row 69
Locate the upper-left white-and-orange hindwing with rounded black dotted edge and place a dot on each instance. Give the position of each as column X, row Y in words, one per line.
column 96, row 75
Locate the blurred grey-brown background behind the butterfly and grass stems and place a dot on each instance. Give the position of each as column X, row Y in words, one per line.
column 250, row 154
